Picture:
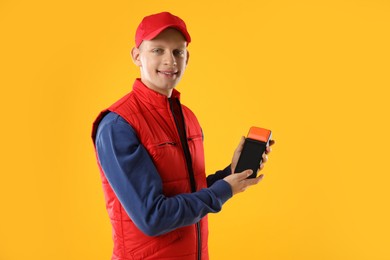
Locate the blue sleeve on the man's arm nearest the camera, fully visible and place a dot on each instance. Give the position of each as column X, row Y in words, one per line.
column 138, row 186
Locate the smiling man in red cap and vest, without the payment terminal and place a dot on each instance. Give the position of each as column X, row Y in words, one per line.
column 150, row 152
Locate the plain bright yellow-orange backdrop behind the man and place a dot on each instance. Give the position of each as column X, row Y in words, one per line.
column 315, row 72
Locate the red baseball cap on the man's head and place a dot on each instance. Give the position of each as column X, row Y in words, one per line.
column 154, row 24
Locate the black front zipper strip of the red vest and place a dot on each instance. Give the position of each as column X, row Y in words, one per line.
column 187, row 155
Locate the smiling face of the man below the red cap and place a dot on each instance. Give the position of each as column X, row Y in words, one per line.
column 162, row 61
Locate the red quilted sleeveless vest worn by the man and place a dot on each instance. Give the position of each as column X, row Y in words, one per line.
column 149, row 114
